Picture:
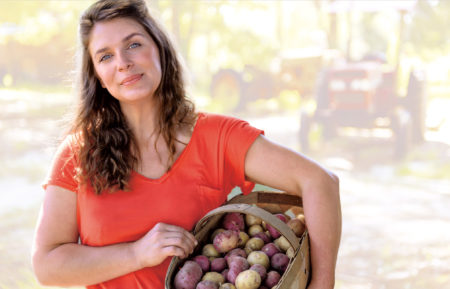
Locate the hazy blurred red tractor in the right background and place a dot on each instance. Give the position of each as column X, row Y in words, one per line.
column 363, row 95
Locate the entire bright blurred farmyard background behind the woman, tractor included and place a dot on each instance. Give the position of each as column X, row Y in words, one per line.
column 363, row 87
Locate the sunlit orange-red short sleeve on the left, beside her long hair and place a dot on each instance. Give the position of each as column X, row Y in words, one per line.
column 63, row 168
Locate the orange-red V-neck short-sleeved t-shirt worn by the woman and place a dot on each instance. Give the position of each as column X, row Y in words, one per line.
column 210, row 166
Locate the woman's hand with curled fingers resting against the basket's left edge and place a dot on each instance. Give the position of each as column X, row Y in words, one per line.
column 163, row 241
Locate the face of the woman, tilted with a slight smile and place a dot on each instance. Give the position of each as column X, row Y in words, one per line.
column 125, row 58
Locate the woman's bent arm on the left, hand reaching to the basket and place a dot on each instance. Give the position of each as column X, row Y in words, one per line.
column 59, row 260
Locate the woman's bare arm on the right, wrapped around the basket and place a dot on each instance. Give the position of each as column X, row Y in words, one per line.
column 273, row 165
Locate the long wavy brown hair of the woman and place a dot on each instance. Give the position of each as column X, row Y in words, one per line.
column 108, row 150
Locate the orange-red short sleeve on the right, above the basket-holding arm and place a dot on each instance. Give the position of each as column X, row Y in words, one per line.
column 240, row 136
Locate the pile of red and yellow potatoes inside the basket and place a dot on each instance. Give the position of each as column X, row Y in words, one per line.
column 244, row 253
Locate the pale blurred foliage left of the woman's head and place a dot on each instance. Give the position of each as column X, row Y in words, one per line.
column 39, row 39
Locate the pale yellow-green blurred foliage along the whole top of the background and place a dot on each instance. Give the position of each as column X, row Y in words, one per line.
column 39, row 37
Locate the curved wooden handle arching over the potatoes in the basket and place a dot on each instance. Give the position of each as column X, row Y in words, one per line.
column 255, row 211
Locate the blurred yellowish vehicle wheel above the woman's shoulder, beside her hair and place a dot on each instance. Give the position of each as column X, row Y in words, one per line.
column 226, row 90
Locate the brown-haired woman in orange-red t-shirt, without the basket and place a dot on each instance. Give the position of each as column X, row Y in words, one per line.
column 140, row 167
